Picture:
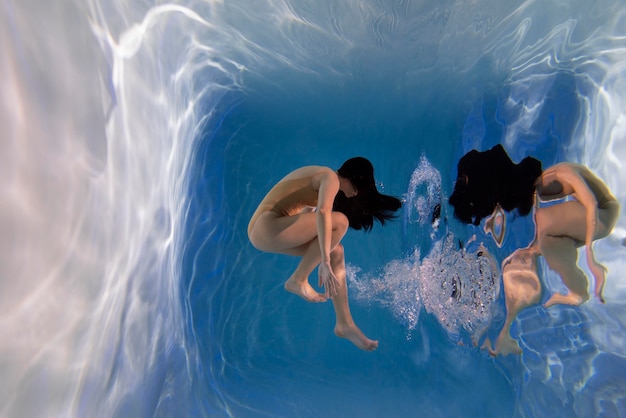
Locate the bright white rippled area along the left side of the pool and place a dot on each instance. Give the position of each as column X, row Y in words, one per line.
column 97, row 131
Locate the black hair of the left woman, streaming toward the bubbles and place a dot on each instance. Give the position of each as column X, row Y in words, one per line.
column 368, row 204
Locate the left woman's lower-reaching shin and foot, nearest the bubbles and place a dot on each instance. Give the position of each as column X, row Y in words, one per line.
column 345, row 326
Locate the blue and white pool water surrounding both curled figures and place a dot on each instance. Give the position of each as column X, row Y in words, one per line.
column 140, row 136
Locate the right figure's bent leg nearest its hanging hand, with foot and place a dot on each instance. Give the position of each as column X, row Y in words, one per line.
column 561, row 255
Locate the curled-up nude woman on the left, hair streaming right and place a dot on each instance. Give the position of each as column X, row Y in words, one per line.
column 306, row 214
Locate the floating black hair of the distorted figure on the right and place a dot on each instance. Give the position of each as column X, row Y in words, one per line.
column 488, row 178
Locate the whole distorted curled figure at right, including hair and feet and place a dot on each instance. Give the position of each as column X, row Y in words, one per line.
column 581, row 211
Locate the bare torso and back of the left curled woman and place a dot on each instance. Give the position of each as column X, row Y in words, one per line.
column 295, row 192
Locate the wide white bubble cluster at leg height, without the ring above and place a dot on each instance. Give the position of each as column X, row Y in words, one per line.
column 459, row 286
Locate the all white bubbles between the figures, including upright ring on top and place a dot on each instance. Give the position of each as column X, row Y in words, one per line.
column 457, row 284
